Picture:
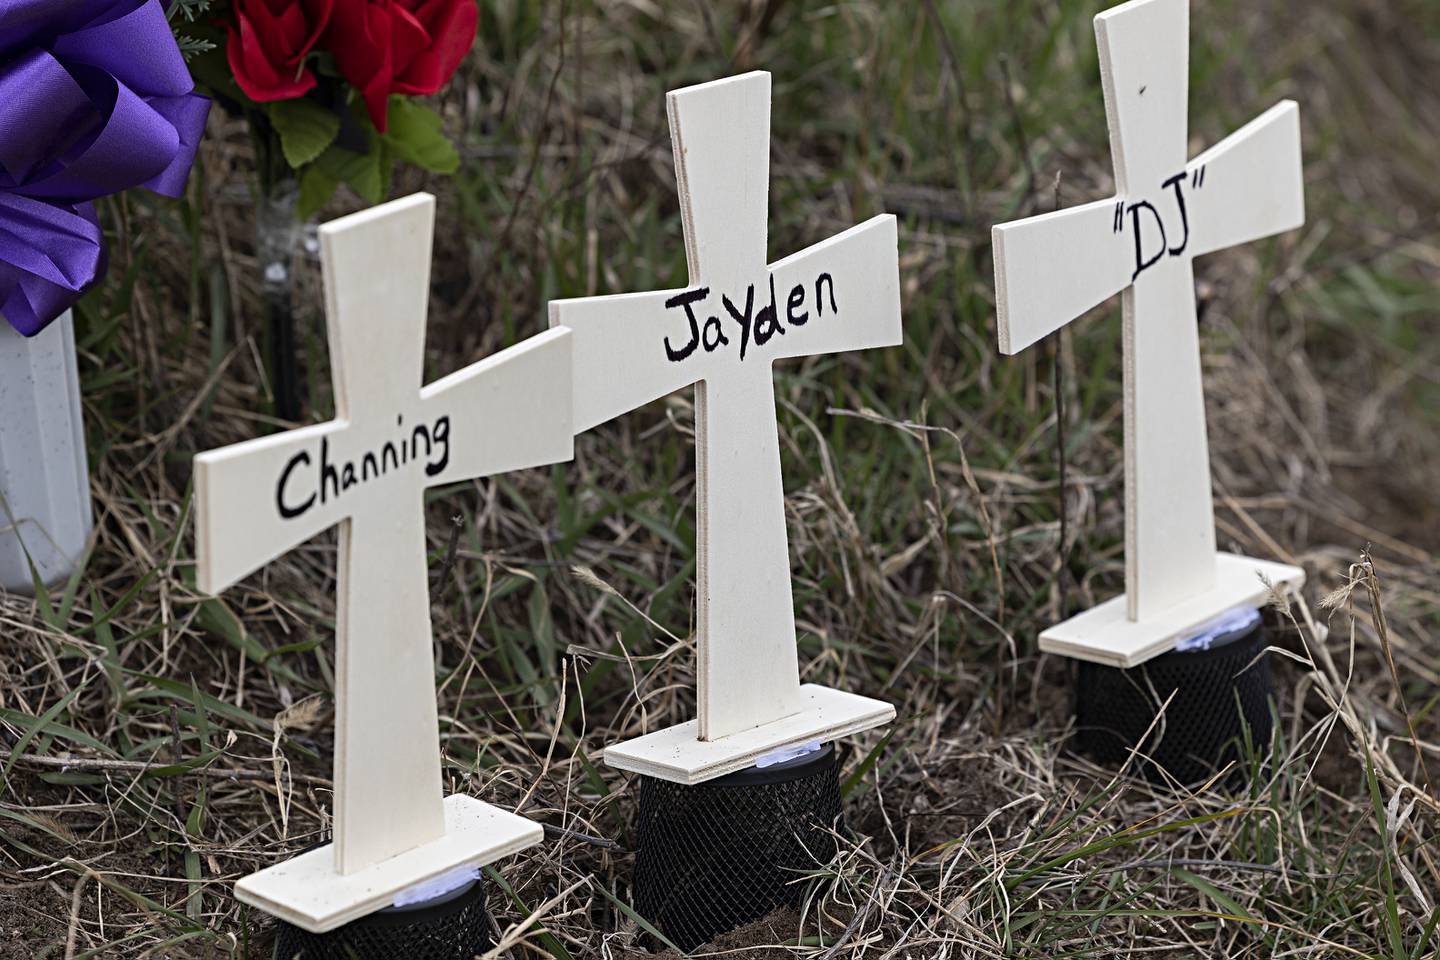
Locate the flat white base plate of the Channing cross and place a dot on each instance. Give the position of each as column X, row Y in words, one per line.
column 309, row 893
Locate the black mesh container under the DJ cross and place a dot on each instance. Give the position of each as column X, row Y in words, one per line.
column 1219, row 693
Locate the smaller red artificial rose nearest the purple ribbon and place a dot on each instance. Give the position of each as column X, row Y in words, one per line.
column 270, row 44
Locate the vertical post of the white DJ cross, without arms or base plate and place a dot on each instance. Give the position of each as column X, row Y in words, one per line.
column 1146, row 58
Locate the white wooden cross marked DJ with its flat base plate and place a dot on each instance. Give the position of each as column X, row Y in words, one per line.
column 1049, row 270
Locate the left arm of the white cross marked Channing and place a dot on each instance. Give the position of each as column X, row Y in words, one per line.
column 244, row 493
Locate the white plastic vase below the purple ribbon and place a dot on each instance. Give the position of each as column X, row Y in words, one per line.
column 45, row 504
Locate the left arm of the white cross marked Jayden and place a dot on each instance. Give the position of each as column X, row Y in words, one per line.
column 616, row 343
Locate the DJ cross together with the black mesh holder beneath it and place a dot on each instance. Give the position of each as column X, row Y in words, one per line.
column 1189, row 614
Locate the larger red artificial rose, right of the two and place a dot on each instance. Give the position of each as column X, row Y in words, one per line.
column 400, row 47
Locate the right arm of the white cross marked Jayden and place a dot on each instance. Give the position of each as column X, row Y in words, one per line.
column 840, row 294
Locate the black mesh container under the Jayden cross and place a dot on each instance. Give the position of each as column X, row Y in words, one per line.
column 718, row 856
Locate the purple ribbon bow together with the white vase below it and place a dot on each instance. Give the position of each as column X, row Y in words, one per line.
column 68, row 74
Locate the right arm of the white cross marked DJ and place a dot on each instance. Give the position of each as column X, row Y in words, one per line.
column 1256, row 173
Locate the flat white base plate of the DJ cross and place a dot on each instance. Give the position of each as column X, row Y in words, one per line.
column 1107, row 635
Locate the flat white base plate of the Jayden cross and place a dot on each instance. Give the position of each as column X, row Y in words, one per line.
column 678, row 753
